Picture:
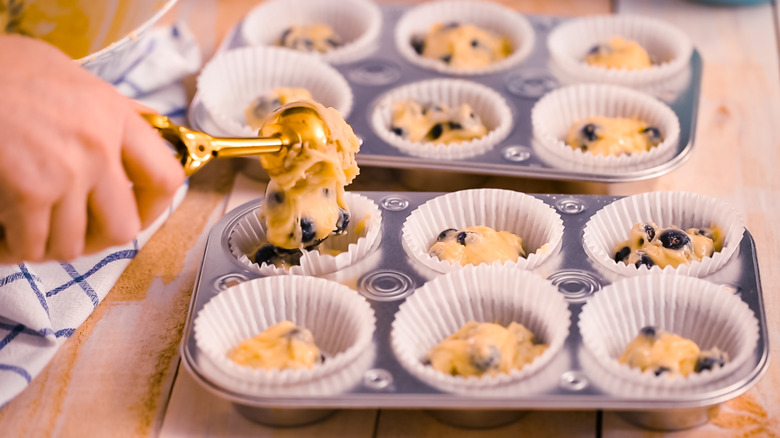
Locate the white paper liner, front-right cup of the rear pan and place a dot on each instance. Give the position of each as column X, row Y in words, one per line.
column 555, row 113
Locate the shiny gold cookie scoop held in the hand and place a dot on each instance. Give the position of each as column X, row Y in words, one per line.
column 301, row 122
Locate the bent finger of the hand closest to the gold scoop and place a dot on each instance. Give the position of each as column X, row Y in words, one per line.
column 155, row 172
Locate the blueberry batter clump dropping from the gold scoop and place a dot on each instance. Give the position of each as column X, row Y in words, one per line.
column 304, row 201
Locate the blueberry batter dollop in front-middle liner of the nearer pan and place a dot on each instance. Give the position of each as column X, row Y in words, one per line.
column 480, row 348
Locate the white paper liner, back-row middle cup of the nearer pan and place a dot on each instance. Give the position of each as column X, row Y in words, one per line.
column 537, row 223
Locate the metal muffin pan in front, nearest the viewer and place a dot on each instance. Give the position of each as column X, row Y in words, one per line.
column 386, row 276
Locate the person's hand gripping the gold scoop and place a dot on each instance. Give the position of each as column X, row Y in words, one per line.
column 80, row 170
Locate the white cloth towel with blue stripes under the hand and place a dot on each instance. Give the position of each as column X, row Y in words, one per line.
column 42, row 304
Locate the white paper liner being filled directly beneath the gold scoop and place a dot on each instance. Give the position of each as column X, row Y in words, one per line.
column 362, row 236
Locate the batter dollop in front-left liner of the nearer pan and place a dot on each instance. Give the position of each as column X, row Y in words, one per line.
column 281, row 346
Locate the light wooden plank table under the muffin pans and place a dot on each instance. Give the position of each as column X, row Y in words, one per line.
column 119, row 374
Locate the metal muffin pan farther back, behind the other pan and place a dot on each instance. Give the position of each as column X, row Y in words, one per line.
column 522, row 86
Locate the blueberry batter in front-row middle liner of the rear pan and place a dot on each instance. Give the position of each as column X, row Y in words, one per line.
column 439, row 123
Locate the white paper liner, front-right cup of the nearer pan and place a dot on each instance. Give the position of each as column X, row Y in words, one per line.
column 696, row 309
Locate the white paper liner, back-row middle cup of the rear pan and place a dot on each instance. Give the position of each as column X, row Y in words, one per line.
column 490, row 16
